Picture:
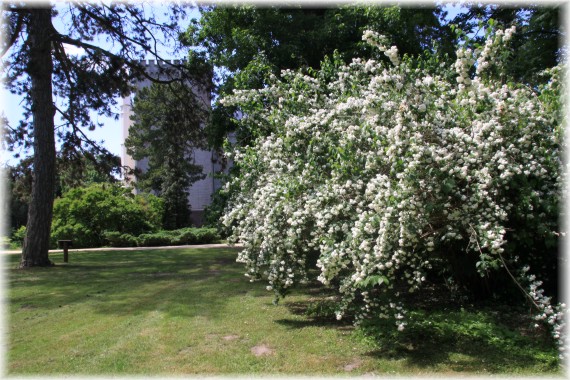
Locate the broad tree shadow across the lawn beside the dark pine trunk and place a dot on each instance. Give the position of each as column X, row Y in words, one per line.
column 177, row 282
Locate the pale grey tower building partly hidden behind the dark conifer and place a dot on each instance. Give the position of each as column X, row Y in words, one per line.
column 200, row 192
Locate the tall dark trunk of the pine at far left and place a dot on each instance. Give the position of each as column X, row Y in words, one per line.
column 40, row 67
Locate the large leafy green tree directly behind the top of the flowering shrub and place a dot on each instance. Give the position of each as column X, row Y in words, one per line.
column 249, row 43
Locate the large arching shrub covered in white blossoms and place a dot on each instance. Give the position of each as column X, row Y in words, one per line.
column 384, row 169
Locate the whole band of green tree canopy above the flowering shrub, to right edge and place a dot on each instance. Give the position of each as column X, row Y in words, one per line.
column 248, row 43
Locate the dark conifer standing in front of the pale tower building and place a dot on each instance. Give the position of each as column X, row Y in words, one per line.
column 168, row 125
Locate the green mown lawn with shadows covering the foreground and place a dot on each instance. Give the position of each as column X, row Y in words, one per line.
column 191, row 311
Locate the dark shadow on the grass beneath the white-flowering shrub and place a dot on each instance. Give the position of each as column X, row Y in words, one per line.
column 439, row 336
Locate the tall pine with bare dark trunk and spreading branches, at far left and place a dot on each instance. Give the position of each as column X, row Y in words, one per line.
column 36, row 65
